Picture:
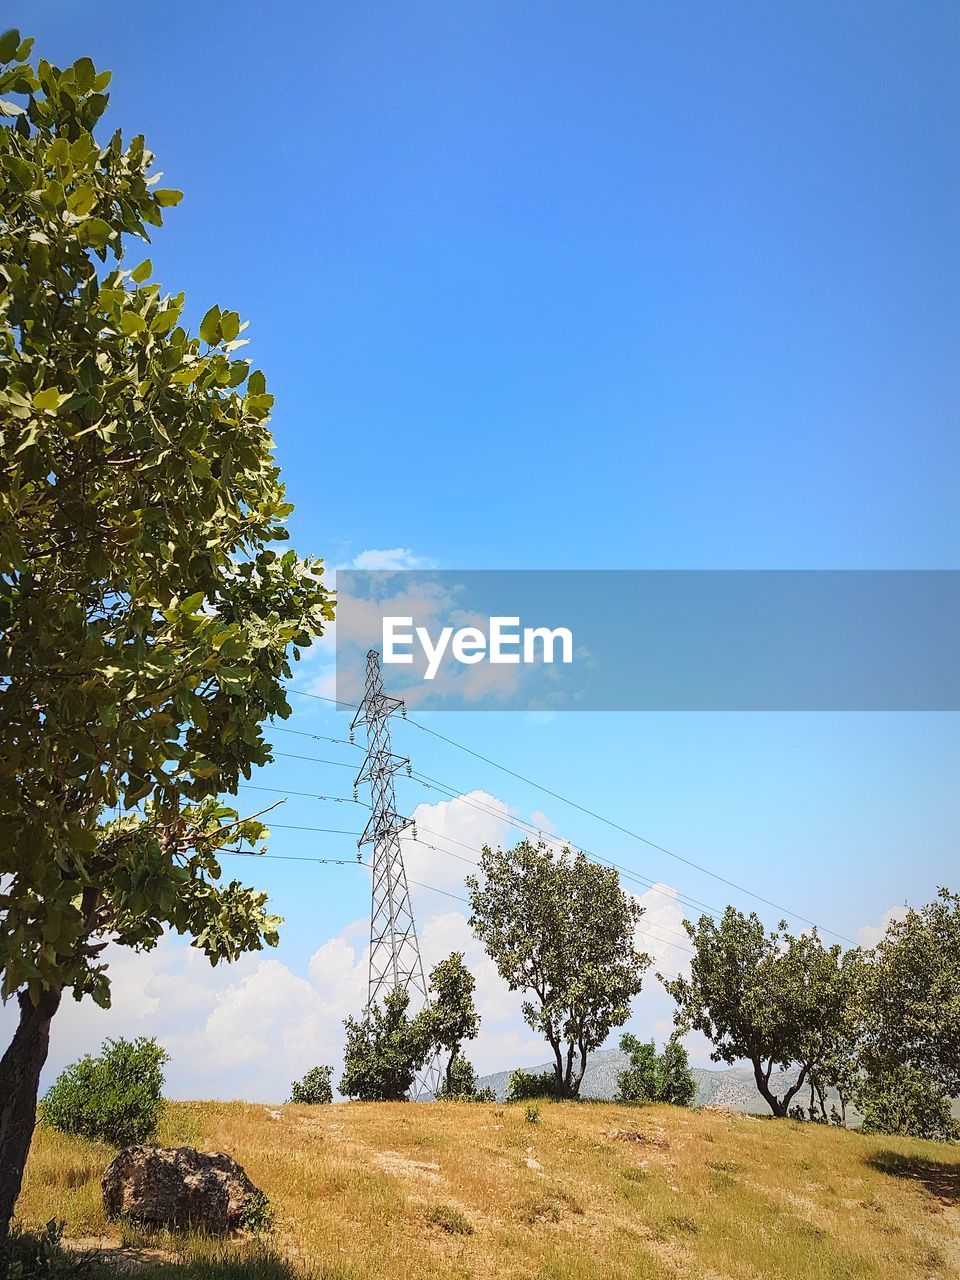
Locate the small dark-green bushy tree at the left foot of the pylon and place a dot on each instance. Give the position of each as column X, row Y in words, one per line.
column 385, row 1052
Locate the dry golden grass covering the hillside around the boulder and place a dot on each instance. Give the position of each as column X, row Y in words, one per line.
column 593, row 1192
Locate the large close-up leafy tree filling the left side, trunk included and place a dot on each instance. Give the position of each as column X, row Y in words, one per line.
column 147, row 621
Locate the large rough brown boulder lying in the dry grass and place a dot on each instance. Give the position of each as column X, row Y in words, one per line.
column 181, row 1187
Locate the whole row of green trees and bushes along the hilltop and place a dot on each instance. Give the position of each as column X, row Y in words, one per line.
column 877, row 1028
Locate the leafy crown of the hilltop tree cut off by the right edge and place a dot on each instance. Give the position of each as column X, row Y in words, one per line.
column 912, row 995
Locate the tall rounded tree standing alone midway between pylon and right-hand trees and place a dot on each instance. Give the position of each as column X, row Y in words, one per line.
column 561, row 929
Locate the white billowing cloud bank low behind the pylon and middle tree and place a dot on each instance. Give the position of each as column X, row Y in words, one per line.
column 250, row 1028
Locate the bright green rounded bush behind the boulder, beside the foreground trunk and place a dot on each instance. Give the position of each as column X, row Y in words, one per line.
column 116, row 1098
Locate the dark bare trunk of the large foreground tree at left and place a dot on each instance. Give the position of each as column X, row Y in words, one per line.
column 20, row 1082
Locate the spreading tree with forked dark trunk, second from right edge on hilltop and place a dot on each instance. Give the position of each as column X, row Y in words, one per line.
column 774, row 999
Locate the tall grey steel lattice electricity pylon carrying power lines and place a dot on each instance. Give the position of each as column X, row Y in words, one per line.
column 395, row 952
